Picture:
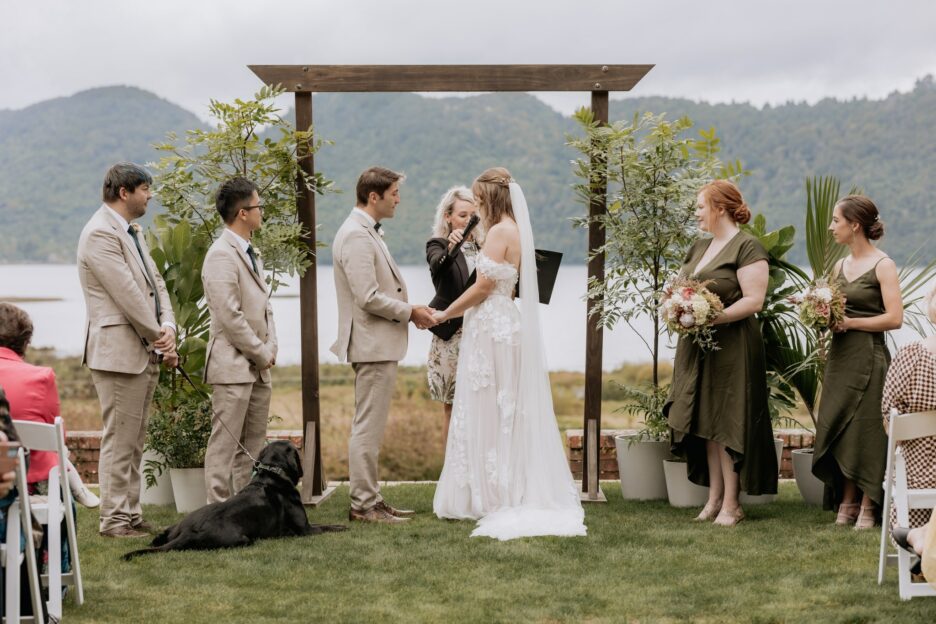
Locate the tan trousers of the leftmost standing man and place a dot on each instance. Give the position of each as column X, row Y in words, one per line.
column 125, row 401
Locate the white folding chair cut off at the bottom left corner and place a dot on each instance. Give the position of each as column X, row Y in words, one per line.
column 19, row 515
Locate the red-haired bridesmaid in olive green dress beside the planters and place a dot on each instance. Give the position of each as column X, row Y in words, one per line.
column 717, row 407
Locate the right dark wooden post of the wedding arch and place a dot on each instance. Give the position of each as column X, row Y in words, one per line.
column 594, row 335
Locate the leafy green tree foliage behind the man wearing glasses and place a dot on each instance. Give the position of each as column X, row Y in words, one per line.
column 248, row 139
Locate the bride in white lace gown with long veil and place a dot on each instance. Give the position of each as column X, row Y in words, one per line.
column 504, row 463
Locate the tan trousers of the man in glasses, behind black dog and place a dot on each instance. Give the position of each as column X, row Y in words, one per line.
column 245, row 410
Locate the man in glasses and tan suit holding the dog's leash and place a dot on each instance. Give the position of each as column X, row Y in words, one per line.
column 242, row 345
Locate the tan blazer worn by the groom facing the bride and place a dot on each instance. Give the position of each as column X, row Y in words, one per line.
column 372, row 308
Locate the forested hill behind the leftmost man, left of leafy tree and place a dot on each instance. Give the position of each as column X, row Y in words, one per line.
column 53, row 156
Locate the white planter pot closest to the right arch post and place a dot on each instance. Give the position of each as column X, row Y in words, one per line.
column 640, row 466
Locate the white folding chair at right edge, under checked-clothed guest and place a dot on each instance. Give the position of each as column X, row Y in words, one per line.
column 904, row 427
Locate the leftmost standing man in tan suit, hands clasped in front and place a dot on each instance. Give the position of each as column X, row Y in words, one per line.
column 130, row 329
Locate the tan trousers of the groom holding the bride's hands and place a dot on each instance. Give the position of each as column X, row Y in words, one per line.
column 374, row 383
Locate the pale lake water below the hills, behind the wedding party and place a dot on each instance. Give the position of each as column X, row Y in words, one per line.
column 60, row 324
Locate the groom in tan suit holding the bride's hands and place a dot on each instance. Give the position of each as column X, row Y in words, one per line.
column 372, row 333
